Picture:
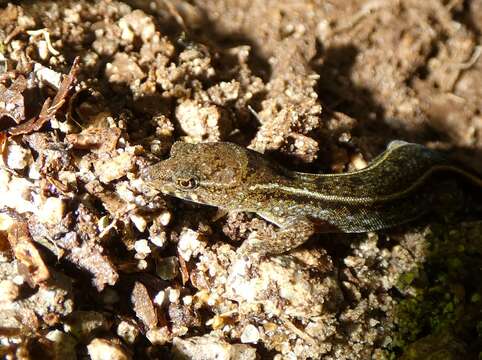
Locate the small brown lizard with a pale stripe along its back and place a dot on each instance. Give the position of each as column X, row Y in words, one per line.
column 395, row 188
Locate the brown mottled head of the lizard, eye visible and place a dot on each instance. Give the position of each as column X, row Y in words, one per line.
column 206, row 173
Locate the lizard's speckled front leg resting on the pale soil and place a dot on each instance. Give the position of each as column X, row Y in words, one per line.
column 290, row 235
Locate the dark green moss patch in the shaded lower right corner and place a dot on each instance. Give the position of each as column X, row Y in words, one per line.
column 448, row 290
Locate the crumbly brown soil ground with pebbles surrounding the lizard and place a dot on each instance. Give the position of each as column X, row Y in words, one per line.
column 93, row 264
